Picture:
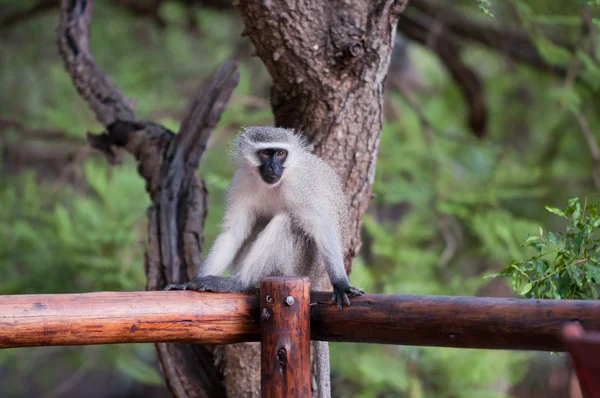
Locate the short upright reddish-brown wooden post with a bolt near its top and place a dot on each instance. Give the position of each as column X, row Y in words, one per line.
column 285, row 337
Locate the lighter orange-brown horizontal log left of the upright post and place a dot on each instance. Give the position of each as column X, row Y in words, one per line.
column 127, row 317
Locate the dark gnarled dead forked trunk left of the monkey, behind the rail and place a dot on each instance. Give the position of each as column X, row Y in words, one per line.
column 167, row 162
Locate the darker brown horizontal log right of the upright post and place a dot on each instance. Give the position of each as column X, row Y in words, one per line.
column 467, row 322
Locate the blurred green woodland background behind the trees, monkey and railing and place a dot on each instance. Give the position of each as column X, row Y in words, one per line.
column 449, row 208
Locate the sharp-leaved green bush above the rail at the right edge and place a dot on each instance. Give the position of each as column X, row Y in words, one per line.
column 567, row 265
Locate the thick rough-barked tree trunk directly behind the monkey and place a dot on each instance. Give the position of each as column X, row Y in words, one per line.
column 328, row 61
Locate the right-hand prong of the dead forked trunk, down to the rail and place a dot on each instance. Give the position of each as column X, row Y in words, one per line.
column 177, row 183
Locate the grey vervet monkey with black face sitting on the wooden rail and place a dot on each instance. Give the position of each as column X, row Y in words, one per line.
column 286, row 215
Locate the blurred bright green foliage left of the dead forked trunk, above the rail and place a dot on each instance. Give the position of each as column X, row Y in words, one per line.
column 52, row 243
